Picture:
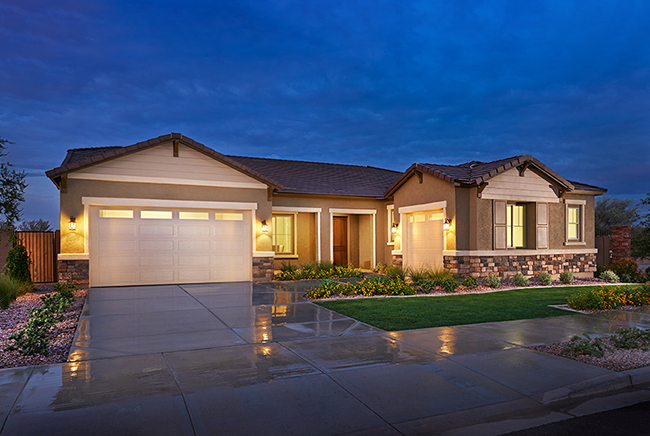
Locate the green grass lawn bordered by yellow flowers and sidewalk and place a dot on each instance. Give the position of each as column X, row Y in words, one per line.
column 421, row 312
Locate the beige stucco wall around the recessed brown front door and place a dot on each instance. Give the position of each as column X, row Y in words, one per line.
column 360, row 236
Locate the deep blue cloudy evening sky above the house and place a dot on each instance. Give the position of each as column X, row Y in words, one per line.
column 382, row 83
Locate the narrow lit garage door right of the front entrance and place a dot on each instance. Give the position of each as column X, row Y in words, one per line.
column 425, row 239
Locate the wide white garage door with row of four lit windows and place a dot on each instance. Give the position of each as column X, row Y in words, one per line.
column 143, row 246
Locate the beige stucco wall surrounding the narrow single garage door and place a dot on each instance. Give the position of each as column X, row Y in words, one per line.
column 432, row 189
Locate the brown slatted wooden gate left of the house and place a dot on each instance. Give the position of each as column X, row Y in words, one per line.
column 42, row 248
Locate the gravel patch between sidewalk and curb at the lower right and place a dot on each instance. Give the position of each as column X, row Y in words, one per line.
column 617, row 359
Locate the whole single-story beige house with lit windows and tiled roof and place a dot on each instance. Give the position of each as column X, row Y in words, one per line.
column 171, row 210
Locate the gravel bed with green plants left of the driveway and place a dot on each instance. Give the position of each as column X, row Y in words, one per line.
column 61, row 336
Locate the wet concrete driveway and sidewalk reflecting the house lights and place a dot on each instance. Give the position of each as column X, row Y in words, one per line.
column 244, row 358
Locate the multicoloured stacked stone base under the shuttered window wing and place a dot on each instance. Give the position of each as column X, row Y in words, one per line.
column 507, row 266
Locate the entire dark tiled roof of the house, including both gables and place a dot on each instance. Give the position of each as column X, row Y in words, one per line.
column 300, row 177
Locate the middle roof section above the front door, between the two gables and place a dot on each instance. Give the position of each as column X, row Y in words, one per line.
column 323, row 178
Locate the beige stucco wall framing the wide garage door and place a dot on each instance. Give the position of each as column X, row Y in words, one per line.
column 71, row 204
